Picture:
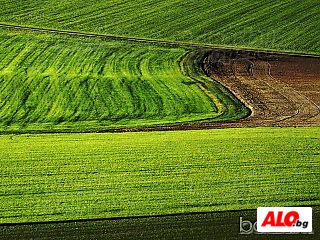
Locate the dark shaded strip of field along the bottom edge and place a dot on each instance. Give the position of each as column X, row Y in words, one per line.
column 217, row 225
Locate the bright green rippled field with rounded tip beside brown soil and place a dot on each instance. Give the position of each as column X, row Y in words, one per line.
column 55, row 83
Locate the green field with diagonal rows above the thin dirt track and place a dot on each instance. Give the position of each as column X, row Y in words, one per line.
column 289, row 25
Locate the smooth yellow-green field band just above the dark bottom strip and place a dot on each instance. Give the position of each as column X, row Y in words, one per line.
column 78, row 176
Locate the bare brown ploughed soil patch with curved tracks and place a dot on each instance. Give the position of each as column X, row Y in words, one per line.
column 280, row 90
